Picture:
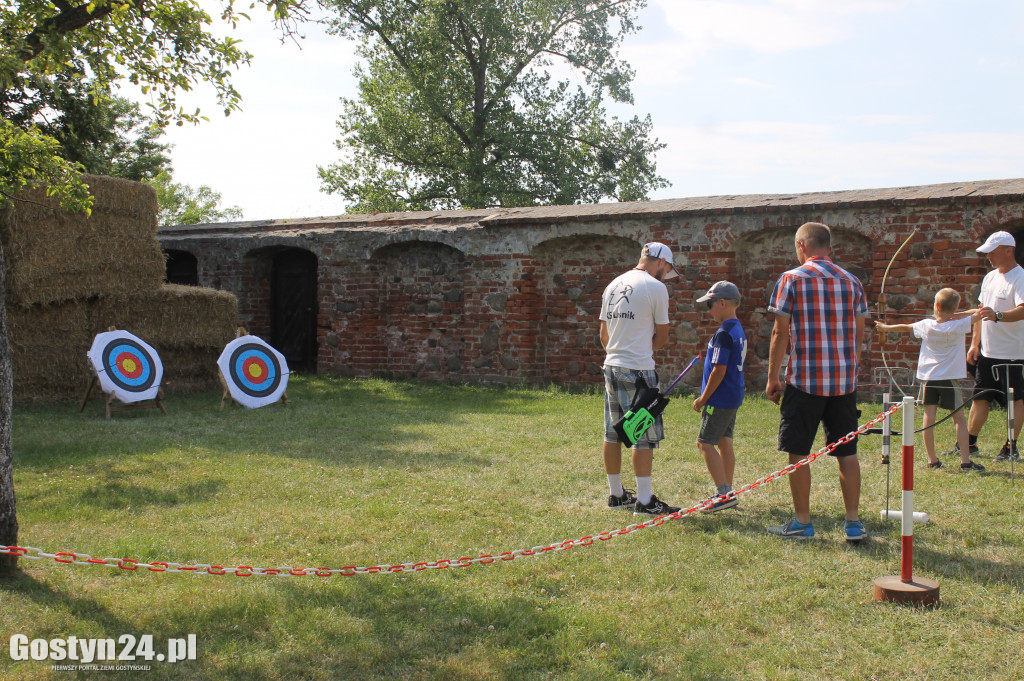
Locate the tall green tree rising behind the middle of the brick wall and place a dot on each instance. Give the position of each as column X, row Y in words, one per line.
column 459, row 106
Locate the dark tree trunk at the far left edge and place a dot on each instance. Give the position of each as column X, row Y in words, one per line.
column 9, row 514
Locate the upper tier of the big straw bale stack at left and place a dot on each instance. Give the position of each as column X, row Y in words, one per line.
column 54, row 256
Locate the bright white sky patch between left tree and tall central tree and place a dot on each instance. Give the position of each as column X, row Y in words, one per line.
column 264, row 158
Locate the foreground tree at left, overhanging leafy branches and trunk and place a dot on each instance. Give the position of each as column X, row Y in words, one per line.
column 164, row 47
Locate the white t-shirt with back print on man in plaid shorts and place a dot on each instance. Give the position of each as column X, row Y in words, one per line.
column 631, row 307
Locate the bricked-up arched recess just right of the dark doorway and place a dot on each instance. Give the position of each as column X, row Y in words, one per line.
column 423, row 289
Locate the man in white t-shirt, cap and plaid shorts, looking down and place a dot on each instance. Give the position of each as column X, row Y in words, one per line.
column 634, row 324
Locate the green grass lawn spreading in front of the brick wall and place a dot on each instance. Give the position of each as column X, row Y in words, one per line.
column 372, row 473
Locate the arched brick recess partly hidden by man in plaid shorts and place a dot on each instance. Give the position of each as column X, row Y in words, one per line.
column 573, row 273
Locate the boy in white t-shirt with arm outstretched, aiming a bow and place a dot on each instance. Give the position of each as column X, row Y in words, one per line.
column 943, row 359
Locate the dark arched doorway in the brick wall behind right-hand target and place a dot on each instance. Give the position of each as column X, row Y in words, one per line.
column 281, row 303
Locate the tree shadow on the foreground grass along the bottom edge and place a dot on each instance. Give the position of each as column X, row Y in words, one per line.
column 368, row 628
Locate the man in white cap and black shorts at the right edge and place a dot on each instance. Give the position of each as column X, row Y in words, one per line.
column 999, row 339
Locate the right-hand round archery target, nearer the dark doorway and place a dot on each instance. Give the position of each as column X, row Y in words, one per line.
column 255, row 374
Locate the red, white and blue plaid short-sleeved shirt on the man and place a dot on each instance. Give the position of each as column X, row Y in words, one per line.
column 823, row 302
